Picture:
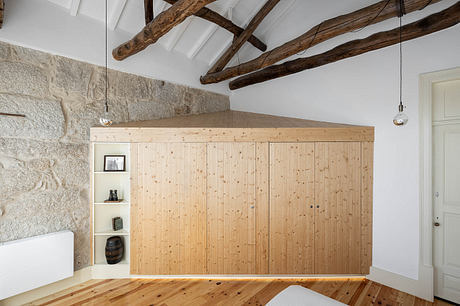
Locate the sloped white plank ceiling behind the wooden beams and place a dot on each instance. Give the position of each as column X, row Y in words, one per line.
column 196, row 38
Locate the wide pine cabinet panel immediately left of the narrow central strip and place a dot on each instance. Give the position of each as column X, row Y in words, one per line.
column 231, row 231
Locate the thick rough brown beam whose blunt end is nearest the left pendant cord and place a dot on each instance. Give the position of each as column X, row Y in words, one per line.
column 161, row 25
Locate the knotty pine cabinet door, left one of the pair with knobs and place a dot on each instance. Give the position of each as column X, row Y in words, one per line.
column 291, row 208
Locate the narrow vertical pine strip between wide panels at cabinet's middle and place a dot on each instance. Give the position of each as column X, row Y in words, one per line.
column 262, row 207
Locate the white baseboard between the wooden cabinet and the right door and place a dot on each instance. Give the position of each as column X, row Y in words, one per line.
column 421, row 287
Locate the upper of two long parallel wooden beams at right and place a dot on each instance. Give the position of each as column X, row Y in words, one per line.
column 326, row 30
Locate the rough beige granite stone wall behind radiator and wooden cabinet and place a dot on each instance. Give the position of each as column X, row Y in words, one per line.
column 44, row 167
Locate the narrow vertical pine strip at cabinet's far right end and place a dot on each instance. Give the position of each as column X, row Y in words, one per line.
column 367, row 174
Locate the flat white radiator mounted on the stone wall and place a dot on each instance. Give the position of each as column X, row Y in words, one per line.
column 33, row 262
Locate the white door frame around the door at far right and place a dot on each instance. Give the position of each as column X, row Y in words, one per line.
column 426, row 81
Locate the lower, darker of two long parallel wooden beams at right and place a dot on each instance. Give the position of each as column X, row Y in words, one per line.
column 433, row 23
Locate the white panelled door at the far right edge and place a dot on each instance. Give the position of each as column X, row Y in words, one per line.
column 446, row 188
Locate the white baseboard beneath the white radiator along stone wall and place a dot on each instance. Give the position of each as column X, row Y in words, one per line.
column 78, row 277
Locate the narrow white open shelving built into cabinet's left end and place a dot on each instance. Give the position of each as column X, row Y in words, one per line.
column 102, row 183
